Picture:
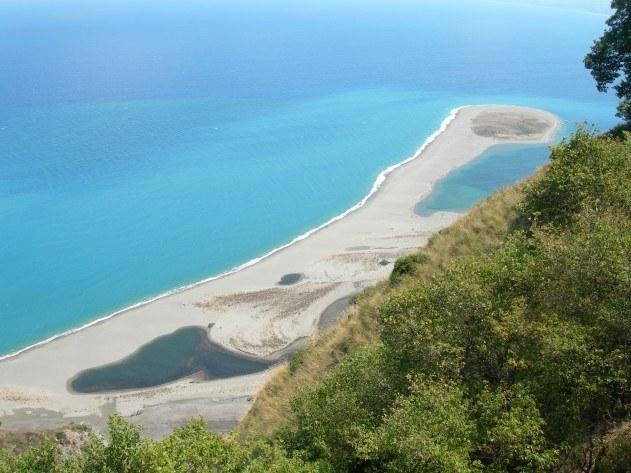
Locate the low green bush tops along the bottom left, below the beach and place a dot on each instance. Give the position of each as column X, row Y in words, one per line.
column 188, row 449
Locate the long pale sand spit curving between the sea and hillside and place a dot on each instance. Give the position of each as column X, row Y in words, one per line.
column 250, row 311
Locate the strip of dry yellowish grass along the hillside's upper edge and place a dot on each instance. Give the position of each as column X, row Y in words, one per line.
column 478, row 232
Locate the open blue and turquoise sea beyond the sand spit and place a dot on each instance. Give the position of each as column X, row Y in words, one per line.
column 147, row 145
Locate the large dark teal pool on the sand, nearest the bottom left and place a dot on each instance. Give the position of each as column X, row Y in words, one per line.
column 183, row 353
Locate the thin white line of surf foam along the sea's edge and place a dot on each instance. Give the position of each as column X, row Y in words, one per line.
column 381, row 178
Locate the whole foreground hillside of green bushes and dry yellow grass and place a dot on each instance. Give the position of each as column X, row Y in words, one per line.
column 503, row 346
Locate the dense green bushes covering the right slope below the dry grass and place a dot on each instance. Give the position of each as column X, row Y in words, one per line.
column 519, row 357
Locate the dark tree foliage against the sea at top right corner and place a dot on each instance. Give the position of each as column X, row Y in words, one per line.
column 610, row 57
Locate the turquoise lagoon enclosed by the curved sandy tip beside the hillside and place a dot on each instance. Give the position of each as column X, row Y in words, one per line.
column 500, row 166
